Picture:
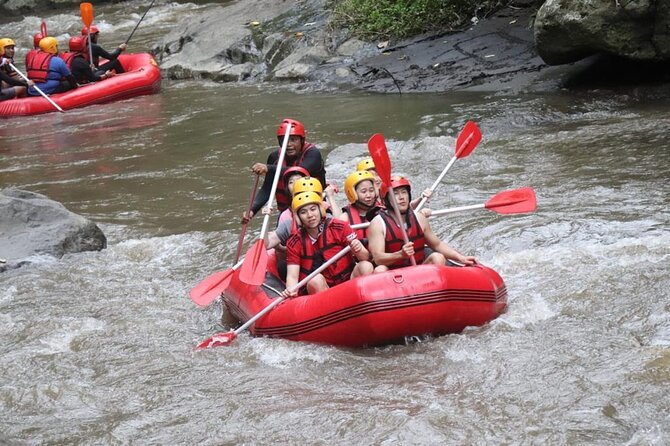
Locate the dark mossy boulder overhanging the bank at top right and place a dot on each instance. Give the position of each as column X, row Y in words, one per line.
column 569, row 30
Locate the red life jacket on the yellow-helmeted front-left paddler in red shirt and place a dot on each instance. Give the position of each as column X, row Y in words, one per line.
column 315, row 254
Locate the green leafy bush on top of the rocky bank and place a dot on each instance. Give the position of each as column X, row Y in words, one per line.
column 379, row 19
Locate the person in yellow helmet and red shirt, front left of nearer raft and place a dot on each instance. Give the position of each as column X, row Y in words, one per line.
column 319, row 239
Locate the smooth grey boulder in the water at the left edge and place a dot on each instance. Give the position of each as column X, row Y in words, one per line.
column 31, row 223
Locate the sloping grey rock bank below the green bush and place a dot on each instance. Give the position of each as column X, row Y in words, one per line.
column 292, row 42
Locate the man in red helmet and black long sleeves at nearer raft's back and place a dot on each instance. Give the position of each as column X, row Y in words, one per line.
column 299, row 152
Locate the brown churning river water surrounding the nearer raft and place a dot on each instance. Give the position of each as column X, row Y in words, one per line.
column 97, row 347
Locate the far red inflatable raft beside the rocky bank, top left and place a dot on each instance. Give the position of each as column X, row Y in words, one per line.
column 142, row 76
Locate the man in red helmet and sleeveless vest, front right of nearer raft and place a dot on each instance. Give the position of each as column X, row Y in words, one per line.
column 387, row 245
